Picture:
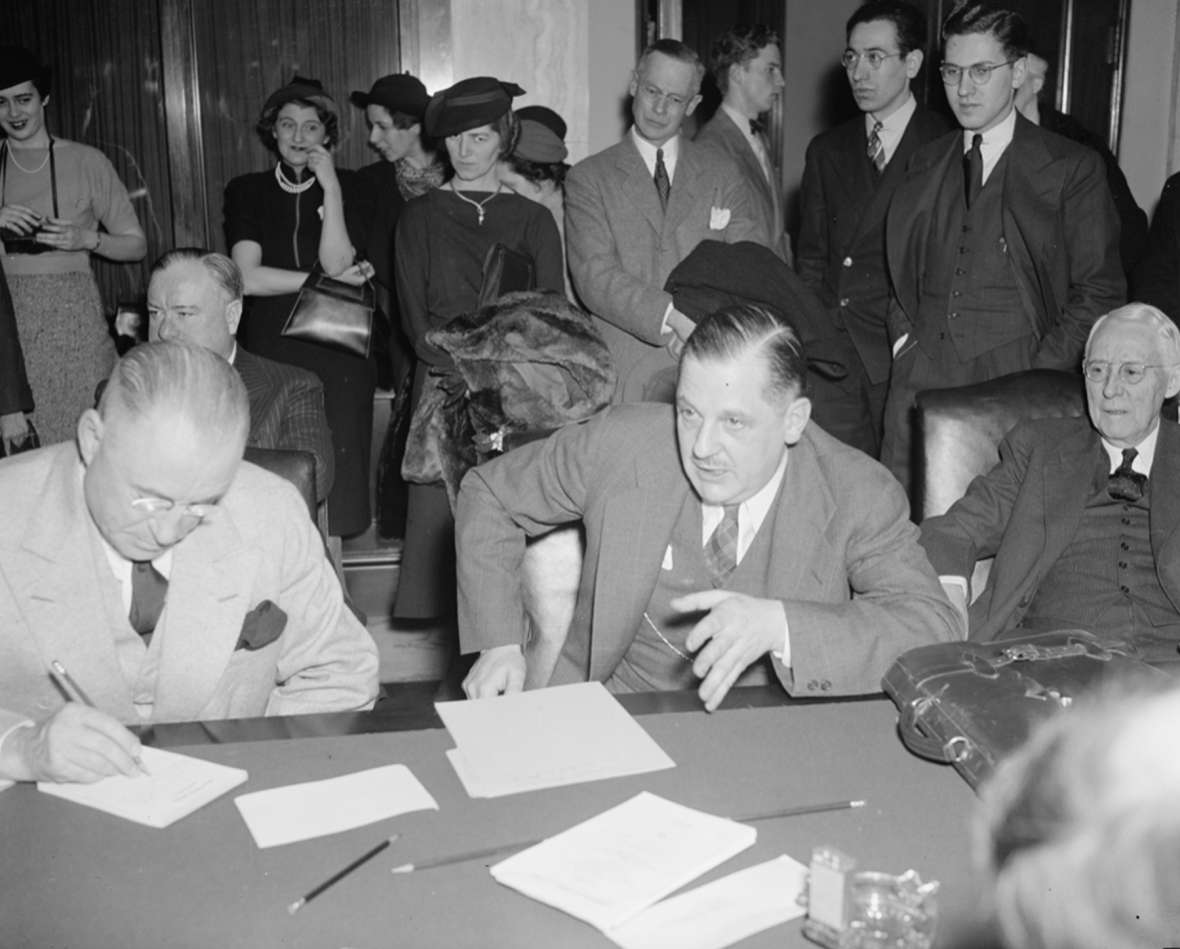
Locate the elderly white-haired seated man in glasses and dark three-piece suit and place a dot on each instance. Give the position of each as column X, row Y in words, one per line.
column 1081, row 514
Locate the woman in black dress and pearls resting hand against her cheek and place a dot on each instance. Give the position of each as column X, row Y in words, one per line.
column 279, row 226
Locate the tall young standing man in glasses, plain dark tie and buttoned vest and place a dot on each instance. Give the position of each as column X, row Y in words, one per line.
column 1002, row 241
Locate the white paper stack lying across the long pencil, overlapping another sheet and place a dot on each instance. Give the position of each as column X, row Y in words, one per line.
column 612, row 867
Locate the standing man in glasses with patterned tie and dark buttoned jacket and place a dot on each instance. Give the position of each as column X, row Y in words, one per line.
column 850, row 178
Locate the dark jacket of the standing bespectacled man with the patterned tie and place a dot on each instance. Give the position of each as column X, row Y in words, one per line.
column 842, row 232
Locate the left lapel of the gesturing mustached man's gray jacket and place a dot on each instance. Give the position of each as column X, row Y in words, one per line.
column 638, row 523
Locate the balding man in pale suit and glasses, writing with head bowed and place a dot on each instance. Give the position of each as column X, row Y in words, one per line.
column 171, row 579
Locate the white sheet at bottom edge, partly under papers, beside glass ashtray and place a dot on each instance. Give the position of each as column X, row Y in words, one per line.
column 722, row 913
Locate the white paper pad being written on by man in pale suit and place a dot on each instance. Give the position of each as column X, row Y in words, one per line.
column 176, row 787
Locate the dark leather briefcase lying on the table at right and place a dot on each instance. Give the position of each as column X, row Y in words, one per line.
column 969, row 704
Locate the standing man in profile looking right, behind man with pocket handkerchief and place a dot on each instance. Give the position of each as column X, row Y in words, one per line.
column 748, row 67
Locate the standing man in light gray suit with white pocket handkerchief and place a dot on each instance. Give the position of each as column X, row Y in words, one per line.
column 639, row 208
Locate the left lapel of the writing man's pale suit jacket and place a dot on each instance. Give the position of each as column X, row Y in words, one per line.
column 60, row 581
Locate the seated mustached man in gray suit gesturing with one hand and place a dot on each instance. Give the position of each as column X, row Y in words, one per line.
column 729, row 539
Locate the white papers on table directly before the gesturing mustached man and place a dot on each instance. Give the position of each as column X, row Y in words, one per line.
column 548, row 738
